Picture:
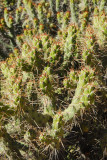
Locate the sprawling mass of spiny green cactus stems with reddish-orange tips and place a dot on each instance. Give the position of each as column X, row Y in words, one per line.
column 53, row 74
